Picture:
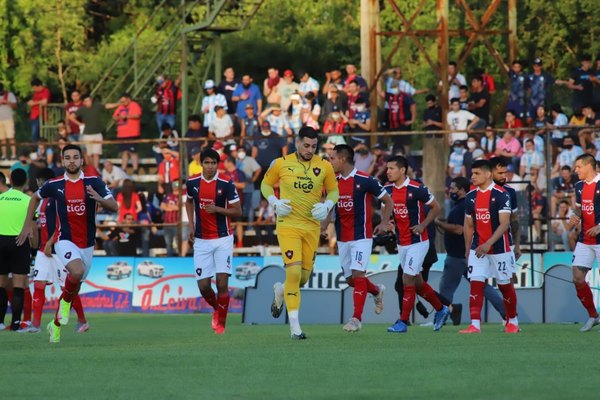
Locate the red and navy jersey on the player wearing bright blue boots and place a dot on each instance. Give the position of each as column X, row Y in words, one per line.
column 410, row 200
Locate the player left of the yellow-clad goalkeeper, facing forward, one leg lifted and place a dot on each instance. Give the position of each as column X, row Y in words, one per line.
column 213, row 201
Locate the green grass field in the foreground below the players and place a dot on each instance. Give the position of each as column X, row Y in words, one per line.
column 131, row 356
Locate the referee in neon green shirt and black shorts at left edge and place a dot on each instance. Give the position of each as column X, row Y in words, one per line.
column 13, row 259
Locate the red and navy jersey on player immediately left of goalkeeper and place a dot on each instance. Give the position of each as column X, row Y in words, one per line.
column 219, row 192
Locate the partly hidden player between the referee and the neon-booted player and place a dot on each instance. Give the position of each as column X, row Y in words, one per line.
column 47, row 266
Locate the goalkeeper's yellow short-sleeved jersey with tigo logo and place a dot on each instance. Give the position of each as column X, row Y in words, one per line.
column 301, row 182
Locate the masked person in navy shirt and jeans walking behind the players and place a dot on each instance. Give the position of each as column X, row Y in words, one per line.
column 455, row 265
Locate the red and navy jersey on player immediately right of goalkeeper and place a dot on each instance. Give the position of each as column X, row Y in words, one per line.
column 353, row 210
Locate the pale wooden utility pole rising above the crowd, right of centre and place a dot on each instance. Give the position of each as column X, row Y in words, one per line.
column 370, row 50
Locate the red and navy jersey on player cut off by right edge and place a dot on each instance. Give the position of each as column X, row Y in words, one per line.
column 587, row 196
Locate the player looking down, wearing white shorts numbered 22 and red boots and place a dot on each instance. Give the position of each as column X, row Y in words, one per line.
column 488, row 241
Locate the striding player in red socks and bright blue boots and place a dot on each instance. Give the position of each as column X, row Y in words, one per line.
column 410, row 198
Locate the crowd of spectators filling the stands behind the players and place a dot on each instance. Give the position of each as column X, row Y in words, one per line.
column 250, row 124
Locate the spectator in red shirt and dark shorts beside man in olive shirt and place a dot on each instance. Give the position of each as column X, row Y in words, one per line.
column 127, row 117
